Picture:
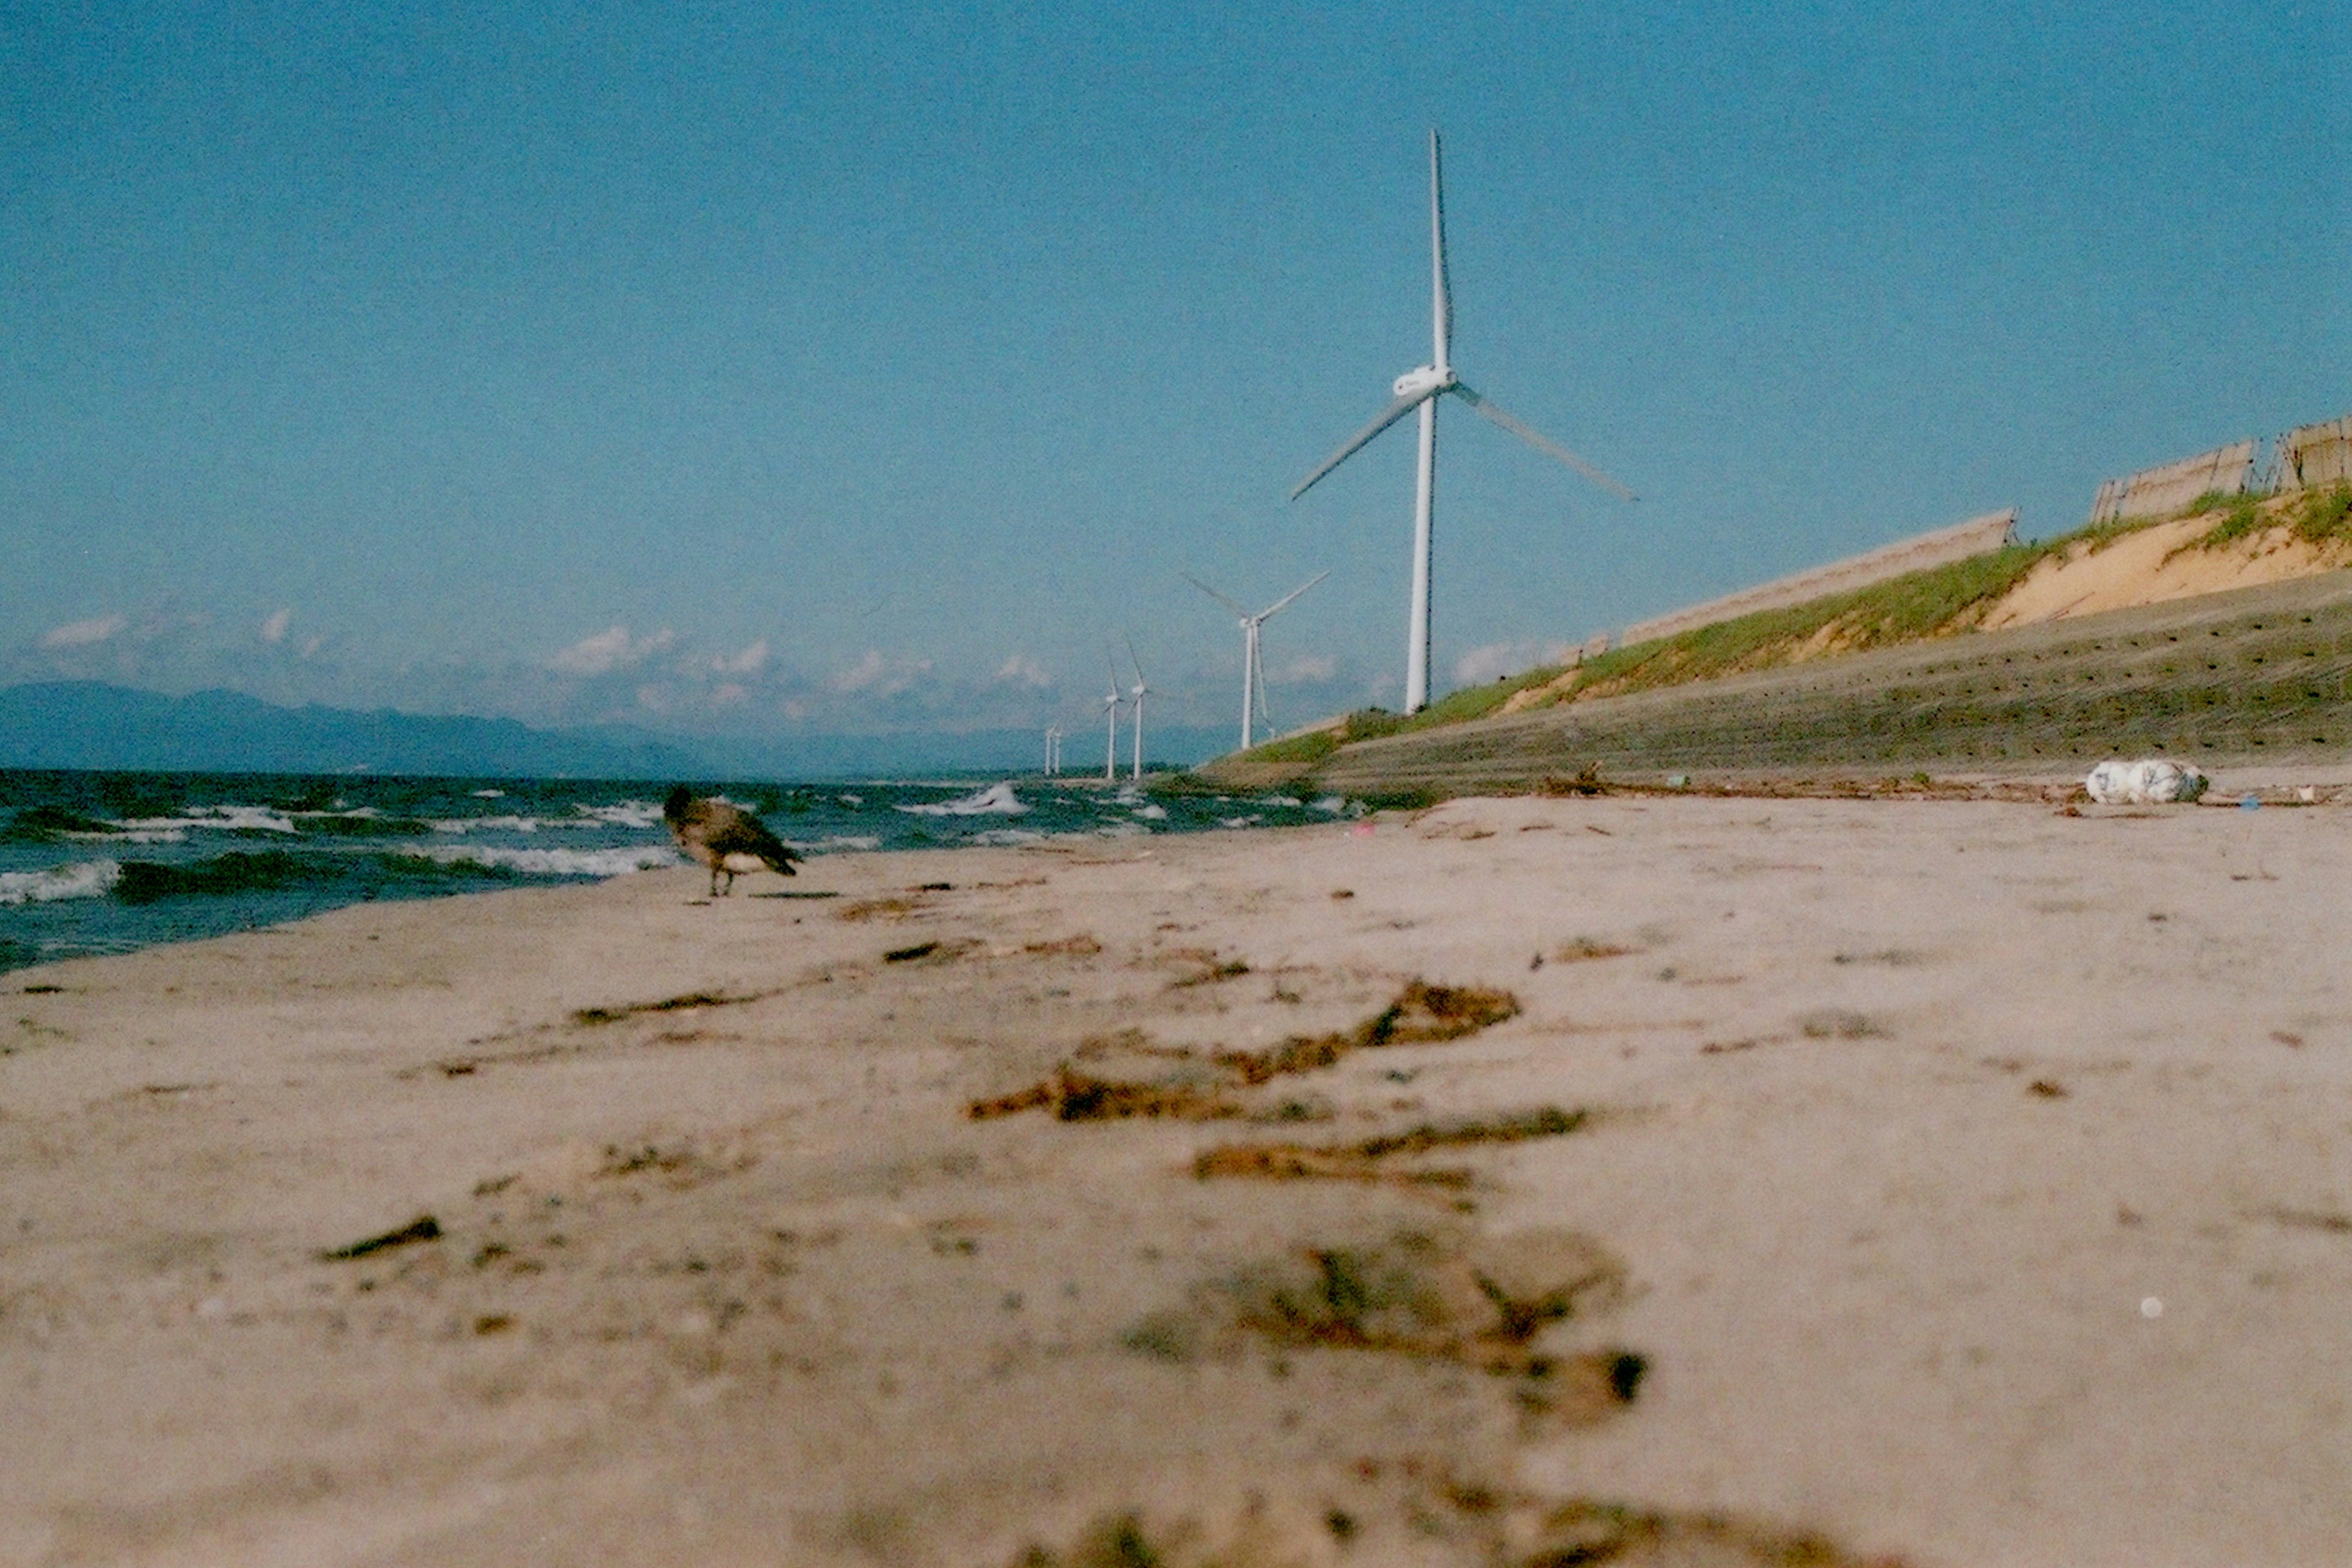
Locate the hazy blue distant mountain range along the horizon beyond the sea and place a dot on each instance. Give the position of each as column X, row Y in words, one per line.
column 95, row 725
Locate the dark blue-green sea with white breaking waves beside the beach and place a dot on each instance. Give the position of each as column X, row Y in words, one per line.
column 98, row 864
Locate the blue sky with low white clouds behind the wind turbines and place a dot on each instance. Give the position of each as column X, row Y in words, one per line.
column 855, row 368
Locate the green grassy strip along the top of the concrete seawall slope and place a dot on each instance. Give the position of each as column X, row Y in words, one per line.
column 1935, row 603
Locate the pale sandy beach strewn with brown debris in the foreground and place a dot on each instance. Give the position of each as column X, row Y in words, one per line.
column 1935, row 1181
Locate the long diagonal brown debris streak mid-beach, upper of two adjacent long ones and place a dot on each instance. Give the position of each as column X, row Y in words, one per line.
column 1419, row 1014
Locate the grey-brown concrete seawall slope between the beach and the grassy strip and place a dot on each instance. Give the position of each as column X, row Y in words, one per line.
column 2259, row 674
